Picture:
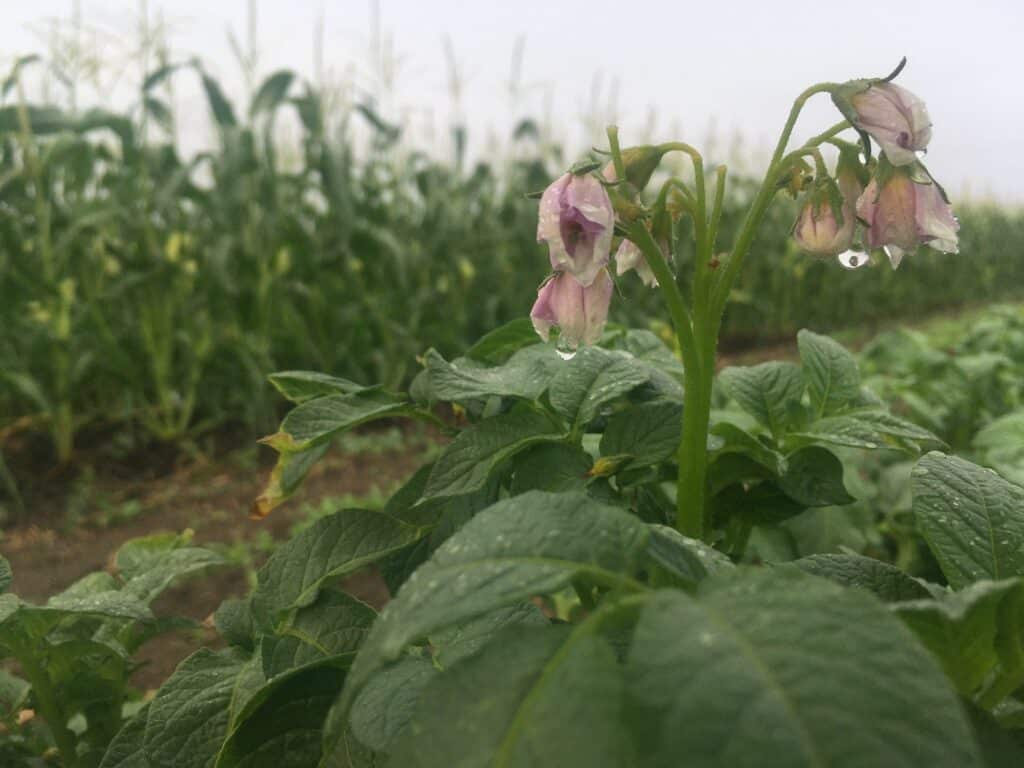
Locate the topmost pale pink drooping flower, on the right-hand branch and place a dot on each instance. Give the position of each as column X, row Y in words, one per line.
column 895, row 118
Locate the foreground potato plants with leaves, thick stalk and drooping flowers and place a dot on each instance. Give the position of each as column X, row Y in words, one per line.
column 584, row 576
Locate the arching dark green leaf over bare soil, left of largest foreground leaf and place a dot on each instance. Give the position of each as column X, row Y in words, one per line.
column 331, row 548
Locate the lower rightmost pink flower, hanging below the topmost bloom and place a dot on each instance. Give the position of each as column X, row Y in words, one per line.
column 903, row 215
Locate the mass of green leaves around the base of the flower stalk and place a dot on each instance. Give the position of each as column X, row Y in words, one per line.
column 545, row 615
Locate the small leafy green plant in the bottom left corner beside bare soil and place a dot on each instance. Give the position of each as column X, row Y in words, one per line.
column 75, row 652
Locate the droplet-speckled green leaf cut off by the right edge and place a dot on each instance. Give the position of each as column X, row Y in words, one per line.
column 972, row 520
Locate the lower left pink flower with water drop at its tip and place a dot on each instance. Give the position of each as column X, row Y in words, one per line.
column 579, row 312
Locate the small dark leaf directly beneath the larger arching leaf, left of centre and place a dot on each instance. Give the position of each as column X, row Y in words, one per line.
column 334, row 626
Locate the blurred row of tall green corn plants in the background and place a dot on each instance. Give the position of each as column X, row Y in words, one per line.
column 153, row 293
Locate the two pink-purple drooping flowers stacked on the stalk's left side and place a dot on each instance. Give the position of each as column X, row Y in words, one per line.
column 577, row 222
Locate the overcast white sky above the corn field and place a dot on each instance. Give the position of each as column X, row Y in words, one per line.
column 728, row 67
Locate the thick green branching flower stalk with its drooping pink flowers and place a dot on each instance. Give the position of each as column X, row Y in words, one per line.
column 833, row 215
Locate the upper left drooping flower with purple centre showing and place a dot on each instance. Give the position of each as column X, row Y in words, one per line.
column 577, row 222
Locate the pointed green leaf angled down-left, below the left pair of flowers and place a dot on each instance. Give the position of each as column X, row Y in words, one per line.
column 468, row 461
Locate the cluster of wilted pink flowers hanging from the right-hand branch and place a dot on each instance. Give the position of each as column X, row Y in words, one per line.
column 903, row 207
